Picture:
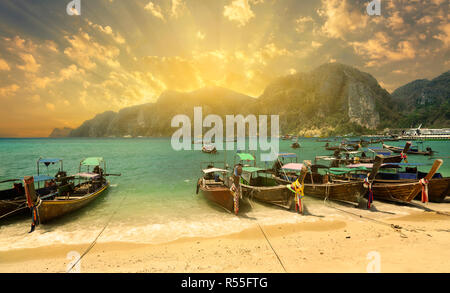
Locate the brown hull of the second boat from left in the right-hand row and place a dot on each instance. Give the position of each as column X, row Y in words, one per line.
column 276, row 195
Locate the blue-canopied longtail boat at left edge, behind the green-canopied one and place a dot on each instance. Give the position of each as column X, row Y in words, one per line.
column 13, row 200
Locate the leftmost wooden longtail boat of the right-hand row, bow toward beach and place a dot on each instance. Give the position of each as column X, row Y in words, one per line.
column 214, row 185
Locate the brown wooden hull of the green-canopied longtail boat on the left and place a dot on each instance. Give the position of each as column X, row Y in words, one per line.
column 52, row 209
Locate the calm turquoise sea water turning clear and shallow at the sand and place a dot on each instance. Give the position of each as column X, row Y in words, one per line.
column 154, row 198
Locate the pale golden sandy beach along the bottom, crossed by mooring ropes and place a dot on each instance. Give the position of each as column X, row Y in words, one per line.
column 418, row 242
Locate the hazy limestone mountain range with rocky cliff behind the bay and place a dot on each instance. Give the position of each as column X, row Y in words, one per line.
column 332, row 99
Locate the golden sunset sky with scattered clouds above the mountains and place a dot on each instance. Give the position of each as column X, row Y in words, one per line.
column 58, row 70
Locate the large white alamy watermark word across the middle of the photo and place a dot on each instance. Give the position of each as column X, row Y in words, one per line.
column 257, row 132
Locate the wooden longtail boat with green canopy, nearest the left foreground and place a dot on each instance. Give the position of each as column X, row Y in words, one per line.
column 71, row 197
